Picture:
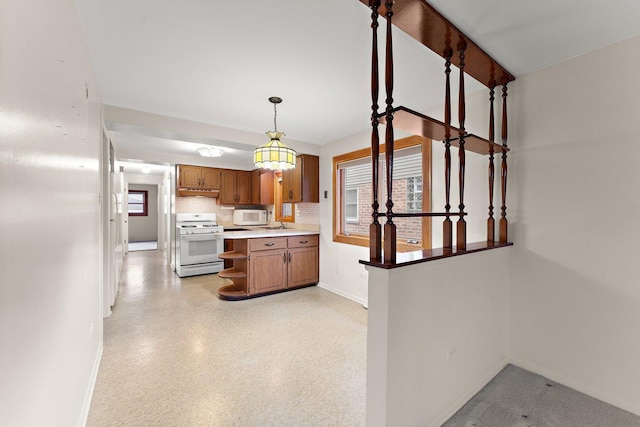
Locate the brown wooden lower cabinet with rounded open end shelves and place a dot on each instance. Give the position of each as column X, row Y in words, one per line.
column 266, row 265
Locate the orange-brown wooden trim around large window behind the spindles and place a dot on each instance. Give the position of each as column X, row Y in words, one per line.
column 363, row 240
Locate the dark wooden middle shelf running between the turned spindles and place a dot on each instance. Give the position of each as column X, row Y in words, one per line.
column 419, row 124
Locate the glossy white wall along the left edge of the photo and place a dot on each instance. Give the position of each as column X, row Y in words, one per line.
column 50, row 250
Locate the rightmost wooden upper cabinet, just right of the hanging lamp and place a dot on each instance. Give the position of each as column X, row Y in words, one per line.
column 302, row 184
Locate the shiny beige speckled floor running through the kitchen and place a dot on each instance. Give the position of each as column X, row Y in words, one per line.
column 176, row 355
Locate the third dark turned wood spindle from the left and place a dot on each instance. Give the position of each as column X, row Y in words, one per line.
column 447, row 225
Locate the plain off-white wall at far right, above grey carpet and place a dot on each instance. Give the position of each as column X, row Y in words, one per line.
column 575, row 298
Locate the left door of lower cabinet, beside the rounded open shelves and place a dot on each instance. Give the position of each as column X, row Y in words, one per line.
column 267, row 271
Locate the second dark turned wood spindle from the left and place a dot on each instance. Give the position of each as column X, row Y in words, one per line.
column 389, row 227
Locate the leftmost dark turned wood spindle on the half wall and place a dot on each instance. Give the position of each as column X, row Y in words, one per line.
column 375, row 229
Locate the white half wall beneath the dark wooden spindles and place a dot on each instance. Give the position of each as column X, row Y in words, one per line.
column 437, row 333
